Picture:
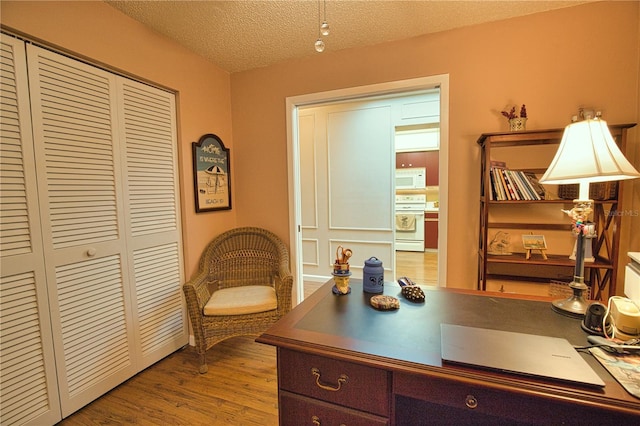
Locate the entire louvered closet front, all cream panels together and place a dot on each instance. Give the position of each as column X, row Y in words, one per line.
column 90, row 238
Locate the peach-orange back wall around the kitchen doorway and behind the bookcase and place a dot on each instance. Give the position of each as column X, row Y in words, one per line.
column 553, row 62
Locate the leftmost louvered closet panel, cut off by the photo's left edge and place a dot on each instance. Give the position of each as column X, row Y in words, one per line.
column 28, row 384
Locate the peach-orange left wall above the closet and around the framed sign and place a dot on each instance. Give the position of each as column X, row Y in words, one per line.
column 100, row 33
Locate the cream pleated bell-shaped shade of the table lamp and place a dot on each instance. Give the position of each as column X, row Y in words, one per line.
column 588, row 153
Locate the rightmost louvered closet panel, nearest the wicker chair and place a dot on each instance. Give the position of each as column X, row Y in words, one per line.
column 149, row 157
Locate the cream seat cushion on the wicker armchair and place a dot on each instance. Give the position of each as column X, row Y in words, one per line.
column 242, row 300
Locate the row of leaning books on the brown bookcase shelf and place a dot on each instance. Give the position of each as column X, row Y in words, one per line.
column 513, row 185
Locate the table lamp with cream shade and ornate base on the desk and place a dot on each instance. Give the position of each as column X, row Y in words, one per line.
column 587, row 153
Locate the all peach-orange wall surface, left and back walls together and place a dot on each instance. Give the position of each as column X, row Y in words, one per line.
column 554, row 62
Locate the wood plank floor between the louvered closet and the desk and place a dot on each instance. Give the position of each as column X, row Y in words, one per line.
column 240, row 388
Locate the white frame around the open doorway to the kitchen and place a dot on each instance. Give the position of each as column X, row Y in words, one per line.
column 361, row 93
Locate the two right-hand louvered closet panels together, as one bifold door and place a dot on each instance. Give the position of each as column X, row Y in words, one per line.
column 107, row 177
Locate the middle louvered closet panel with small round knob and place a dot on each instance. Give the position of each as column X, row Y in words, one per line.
column 83, row 224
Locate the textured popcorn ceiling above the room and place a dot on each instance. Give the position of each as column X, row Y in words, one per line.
column 244, row 34
